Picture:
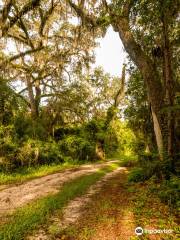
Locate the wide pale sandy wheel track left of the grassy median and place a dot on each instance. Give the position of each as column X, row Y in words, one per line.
column 17, row 196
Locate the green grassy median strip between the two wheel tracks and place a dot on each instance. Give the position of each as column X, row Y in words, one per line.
column 28, row 218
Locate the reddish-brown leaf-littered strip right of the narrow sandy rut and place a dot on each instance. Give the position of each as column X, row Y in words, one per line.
column 109, row 215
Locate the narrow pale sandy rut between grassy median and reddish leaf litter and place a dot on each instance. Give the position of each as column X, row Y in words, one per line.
column 65, row 221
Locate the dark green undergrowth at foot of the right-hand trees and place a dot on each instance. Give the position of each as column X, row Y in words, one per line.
column 145, row 170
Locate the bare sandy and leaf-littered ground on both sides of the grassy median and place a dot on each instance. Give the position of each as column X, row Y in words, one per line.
column 110, row 209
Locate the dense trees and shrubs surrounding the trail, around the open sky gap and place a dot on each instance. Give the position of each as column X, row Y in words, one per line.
column 56, row 107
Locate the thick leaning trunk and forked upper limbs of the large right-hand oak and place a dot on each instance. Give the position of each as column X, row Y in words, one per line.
column 144, row 63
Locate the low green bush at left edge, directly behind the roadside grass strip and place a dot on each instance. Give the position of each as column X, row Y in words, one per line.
column 30, row 153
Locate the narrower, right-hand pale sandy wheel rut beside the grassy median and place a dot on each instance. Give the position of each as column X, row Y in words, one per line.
column 75, row 209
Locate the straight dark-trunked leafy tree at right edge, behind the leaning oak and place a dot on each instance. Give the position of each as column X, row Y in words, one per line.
column 155, row 31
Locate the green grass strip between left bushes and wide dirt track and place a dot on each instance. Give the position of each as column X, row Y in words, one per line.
column 28, row 173
